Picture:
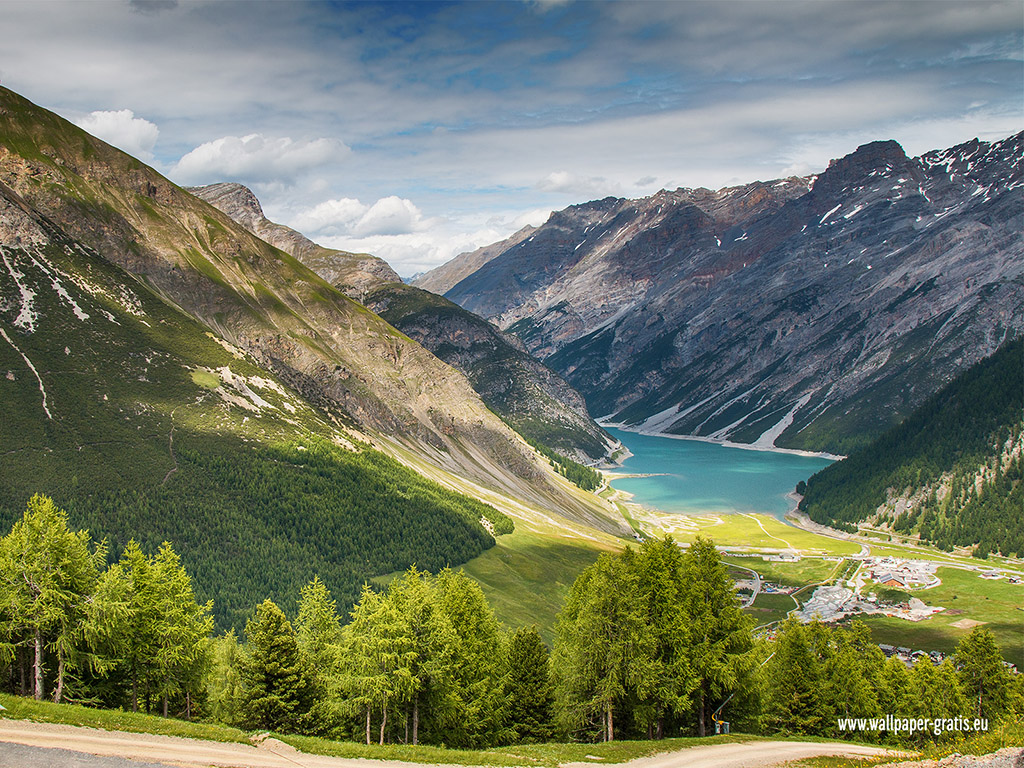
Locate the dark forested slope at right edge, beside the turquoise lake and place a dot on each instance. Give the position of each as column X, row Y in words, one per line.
column 951, row 473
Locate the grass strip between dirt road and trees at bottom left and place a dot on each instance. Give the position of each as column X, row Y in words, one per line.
column 19, row 708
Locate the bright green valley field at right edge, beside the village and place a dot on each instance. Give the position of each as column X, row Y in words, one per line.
column 965, row 595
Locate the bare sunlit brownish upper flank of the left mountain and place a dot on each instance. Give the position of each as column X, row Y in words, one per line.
column 357, row 370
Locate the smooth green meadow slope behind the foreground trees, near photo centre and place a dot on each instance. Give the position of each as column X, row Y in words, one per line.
column 526, row 577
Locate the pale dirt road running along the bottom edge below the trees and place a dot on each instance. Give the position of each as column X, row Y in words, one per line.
column 117, row 750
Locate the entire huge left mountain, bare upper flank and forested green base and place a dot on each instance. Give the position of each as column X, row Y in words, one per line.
column 165, row 374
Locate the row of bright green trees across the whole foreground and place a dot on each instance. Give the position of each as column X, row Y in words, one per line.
column 651, row 644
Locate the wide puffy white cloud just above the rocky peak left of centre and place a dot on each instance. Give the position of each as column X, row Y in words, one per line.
column 257, row 158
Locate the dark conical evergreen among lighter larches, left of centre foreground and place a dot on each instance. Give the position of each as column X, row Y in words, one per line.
column 277, row 693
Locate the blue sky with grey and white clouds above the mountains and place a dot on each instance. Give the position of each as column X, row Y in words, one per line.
column 419, row 131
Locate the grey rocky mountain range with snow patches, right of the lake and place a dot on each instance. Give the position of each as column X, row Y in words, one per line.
column 809, row 313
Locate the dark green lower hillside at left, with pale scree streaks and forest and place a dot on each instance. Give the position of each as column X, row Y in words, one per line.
column 143, row 424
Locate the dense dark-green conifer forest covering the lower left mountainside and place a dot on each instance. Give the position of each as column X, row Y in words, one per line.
column 310, row 508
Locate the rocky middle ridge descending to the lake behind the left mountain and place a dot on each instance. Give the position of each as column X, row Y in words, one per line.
column 532, row 399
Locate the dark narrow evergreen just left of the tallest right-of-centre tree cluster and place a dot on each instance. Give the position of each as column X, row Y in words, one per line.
column 531, row 697
